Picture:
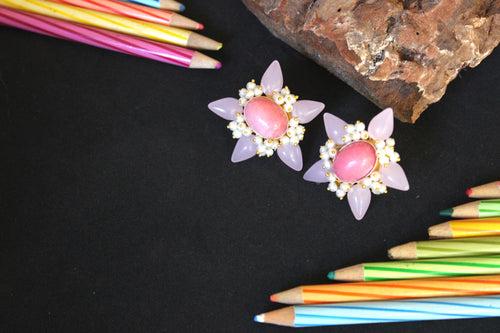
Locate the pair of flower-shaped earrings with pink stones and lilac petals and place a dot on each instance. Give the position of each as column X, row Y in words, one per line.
column 356, row 161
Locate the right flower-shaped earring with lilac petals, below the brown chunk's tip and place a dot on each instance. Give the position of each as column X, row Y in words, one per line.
column 357, row 162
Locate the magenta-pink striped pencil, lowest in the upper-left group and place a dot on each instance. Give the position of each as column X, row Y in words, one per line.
column 106, row 39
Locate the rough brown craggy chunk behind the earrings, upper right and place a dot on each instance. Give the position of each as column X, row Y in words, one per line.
column 397, row 53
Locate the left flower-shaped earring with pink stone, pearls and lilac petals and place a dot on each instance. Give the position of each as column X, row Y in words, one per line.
column 267, row 118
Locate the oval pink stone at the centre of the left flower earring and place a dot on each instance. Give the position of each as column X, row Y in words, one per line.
column 266, row 118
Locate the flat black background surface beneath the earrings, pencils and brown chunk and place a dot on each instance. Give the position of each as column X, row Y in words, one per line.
column 121, row 210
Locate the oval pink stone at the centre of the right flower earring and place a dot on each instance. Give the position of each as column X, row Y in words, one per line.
column 354, row 161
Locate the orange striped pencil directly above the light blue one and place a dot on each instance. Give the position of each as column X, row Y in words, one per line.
column 387, row 290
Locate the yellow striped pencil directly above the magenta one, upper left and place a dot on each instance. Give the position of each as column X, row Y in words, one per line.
column 115, row 23
